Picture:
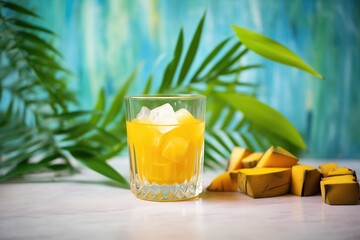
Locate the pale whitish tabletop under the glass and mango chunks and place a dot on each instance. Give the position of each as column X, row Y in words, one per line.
column 80, row 208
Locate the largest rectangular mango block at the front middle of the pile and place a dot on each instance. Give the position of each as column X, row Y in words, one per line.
column 264, row 182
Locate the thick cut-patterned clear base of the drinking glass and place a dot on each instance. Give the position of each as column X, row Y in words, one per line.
column 176, row 192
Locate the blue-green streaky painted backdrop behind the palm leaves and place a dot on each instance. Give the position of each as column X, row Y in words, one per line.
column 103, row 41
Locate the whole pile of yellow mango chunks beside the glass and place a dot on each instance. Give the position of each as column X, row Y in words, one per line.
column 277, row 172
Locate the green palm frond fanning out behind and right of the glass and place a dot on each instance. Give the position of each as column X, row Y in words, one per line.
column 227, row 124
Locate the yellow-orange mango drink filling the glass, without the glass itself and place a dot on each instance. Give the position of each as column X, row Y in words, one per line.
column 166, row 157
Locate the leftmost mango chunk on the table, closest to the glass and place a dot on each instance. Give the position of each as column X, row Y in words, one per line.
column 225, row 182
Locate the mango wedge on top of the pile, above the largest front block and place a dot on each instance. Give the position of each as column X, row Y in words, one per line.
column 277, row 157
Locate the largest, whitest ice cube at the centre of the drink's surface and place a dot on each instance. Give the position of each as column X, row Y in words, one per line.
column 164, row 115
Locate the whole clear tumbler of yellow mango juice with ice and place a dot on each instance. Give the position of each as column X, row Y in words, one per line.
column 165, row 136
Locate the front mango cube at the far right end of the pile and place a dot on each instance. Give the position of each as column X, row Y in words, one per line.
column 340, row 190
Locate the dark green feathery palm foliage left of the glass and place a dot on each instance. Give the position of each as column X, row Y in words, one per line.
column 39, row 131
